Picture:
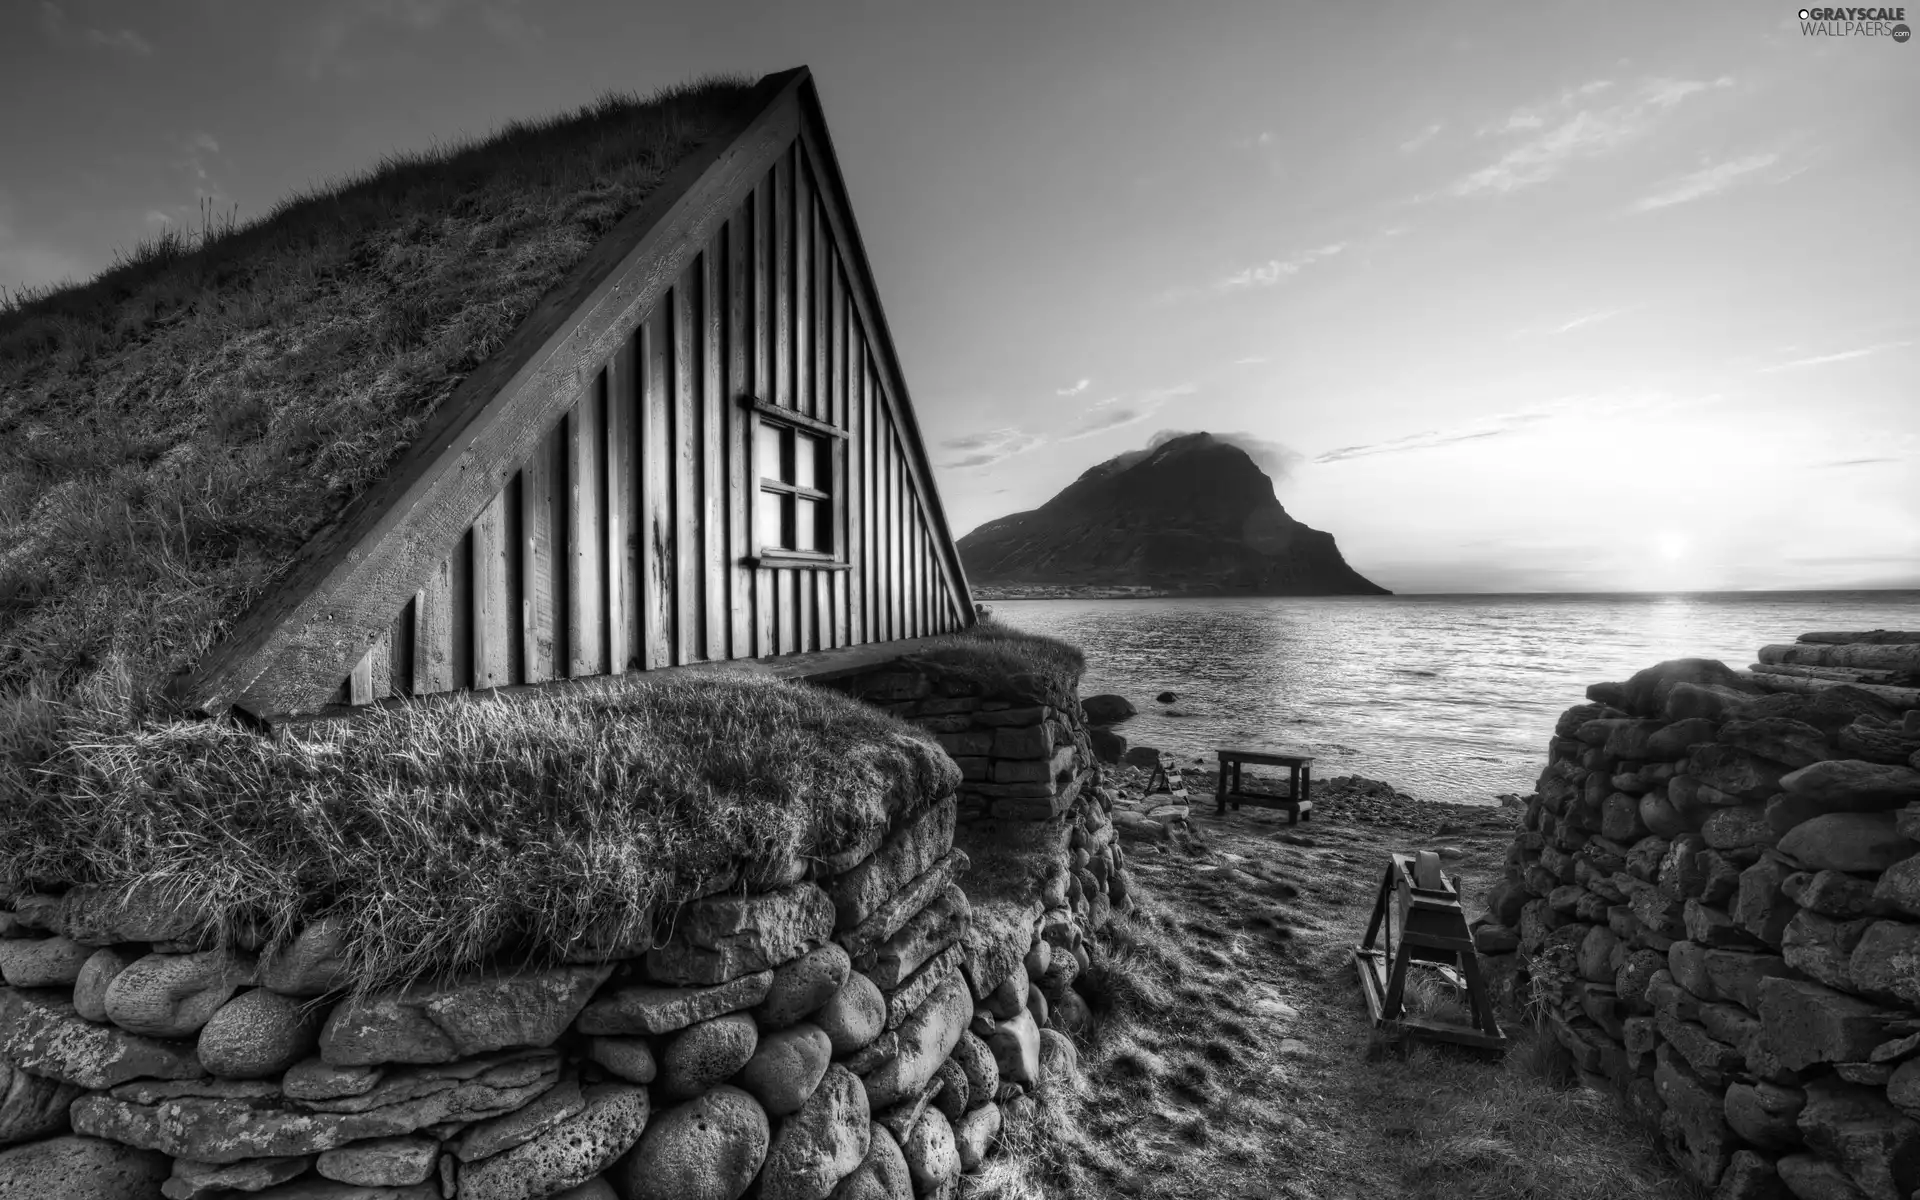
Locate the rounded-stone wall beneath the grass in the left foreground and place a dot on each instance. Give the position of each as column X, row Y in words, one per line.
column 850, row 1034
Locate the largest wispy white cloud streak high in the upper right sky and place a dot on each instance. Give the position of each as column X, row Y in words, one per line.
column 1566, row 130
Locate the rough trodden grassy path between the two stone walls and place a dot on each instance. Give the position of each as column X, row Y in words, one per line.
column 1236, row 1055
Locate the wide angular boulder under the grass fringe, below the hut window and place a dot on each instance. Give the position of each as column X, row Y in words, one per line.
column 725, row 938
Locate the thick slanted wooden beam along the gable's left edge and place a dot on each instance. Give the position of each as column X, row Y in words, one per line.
column 297, row 644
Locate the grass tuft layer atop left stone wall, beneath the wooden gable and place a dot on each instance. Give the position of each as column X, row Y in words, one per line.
column 446, row 836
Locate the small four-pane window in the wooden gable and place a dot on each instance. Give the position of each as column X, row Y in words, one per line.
column 798, row 504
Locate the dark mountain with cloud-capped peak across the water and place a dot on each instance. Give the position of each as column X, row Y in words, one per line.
column 1193, row 517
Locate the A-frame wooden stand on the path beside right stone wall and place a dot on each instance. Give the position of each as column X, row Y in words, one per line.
column 1418, row 911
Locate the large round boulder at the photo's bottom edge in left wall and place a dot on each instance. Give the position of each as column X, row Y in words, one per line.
column 708, row 1149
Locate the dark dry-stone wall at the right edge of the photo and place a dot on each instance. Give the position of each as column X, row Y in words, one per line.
column 1716, row 903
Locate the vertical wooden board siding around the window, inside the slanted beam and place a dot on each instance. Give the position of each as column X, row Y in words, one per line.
column 625, row 540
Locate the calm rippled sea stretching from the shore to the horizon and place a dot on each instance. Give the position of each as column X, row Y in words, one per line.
column 1449, row 698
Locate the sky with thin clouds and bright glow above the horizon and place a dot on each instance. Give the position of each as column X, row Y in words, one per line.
column 1508, row 299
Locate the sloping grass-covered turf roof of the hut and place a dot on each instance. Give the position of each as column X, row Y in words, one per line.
column 174, row 431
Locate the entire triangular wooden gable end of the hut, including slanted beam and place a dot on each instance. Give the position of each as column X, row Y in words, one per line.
column 600, row 496
